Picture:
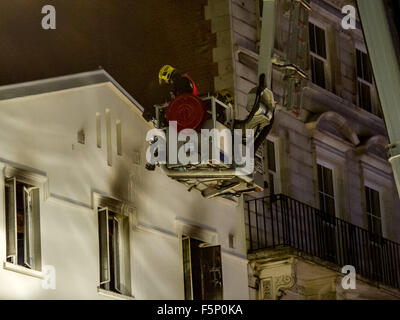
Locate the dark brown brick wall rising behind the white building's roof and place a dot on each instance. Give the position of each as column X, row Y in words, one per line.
column 130, row 39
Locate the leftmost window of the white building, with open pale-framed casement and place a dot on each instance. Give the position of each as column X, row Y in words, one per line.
column 22, row 224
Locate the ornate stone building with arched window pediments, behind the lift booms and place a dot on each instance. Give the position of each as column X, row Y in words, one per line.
column 330, row 157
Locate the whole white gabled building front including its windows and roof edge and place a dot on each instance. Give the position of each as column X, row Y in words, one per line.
column 81, row 217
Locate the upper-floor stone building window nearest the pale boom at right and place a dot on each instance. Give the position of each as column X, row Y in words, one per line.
column 364, row 80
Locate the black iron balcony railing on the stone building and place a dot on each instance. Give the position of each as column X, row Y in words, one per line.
column 279, row 220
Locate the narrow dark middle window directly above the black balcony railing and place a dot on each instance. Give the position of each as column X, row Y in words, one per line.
column 325, row 190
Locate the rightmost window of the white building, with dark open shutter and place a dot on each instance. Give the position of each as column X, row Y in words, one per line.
column 202, row 270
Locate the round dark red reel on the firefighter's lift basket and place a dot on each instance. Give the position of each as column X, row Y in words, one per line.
column 187, row 110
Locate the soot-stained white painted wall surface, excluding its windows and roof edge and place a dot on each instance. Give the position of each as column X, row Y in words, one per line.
column 40, row 132
